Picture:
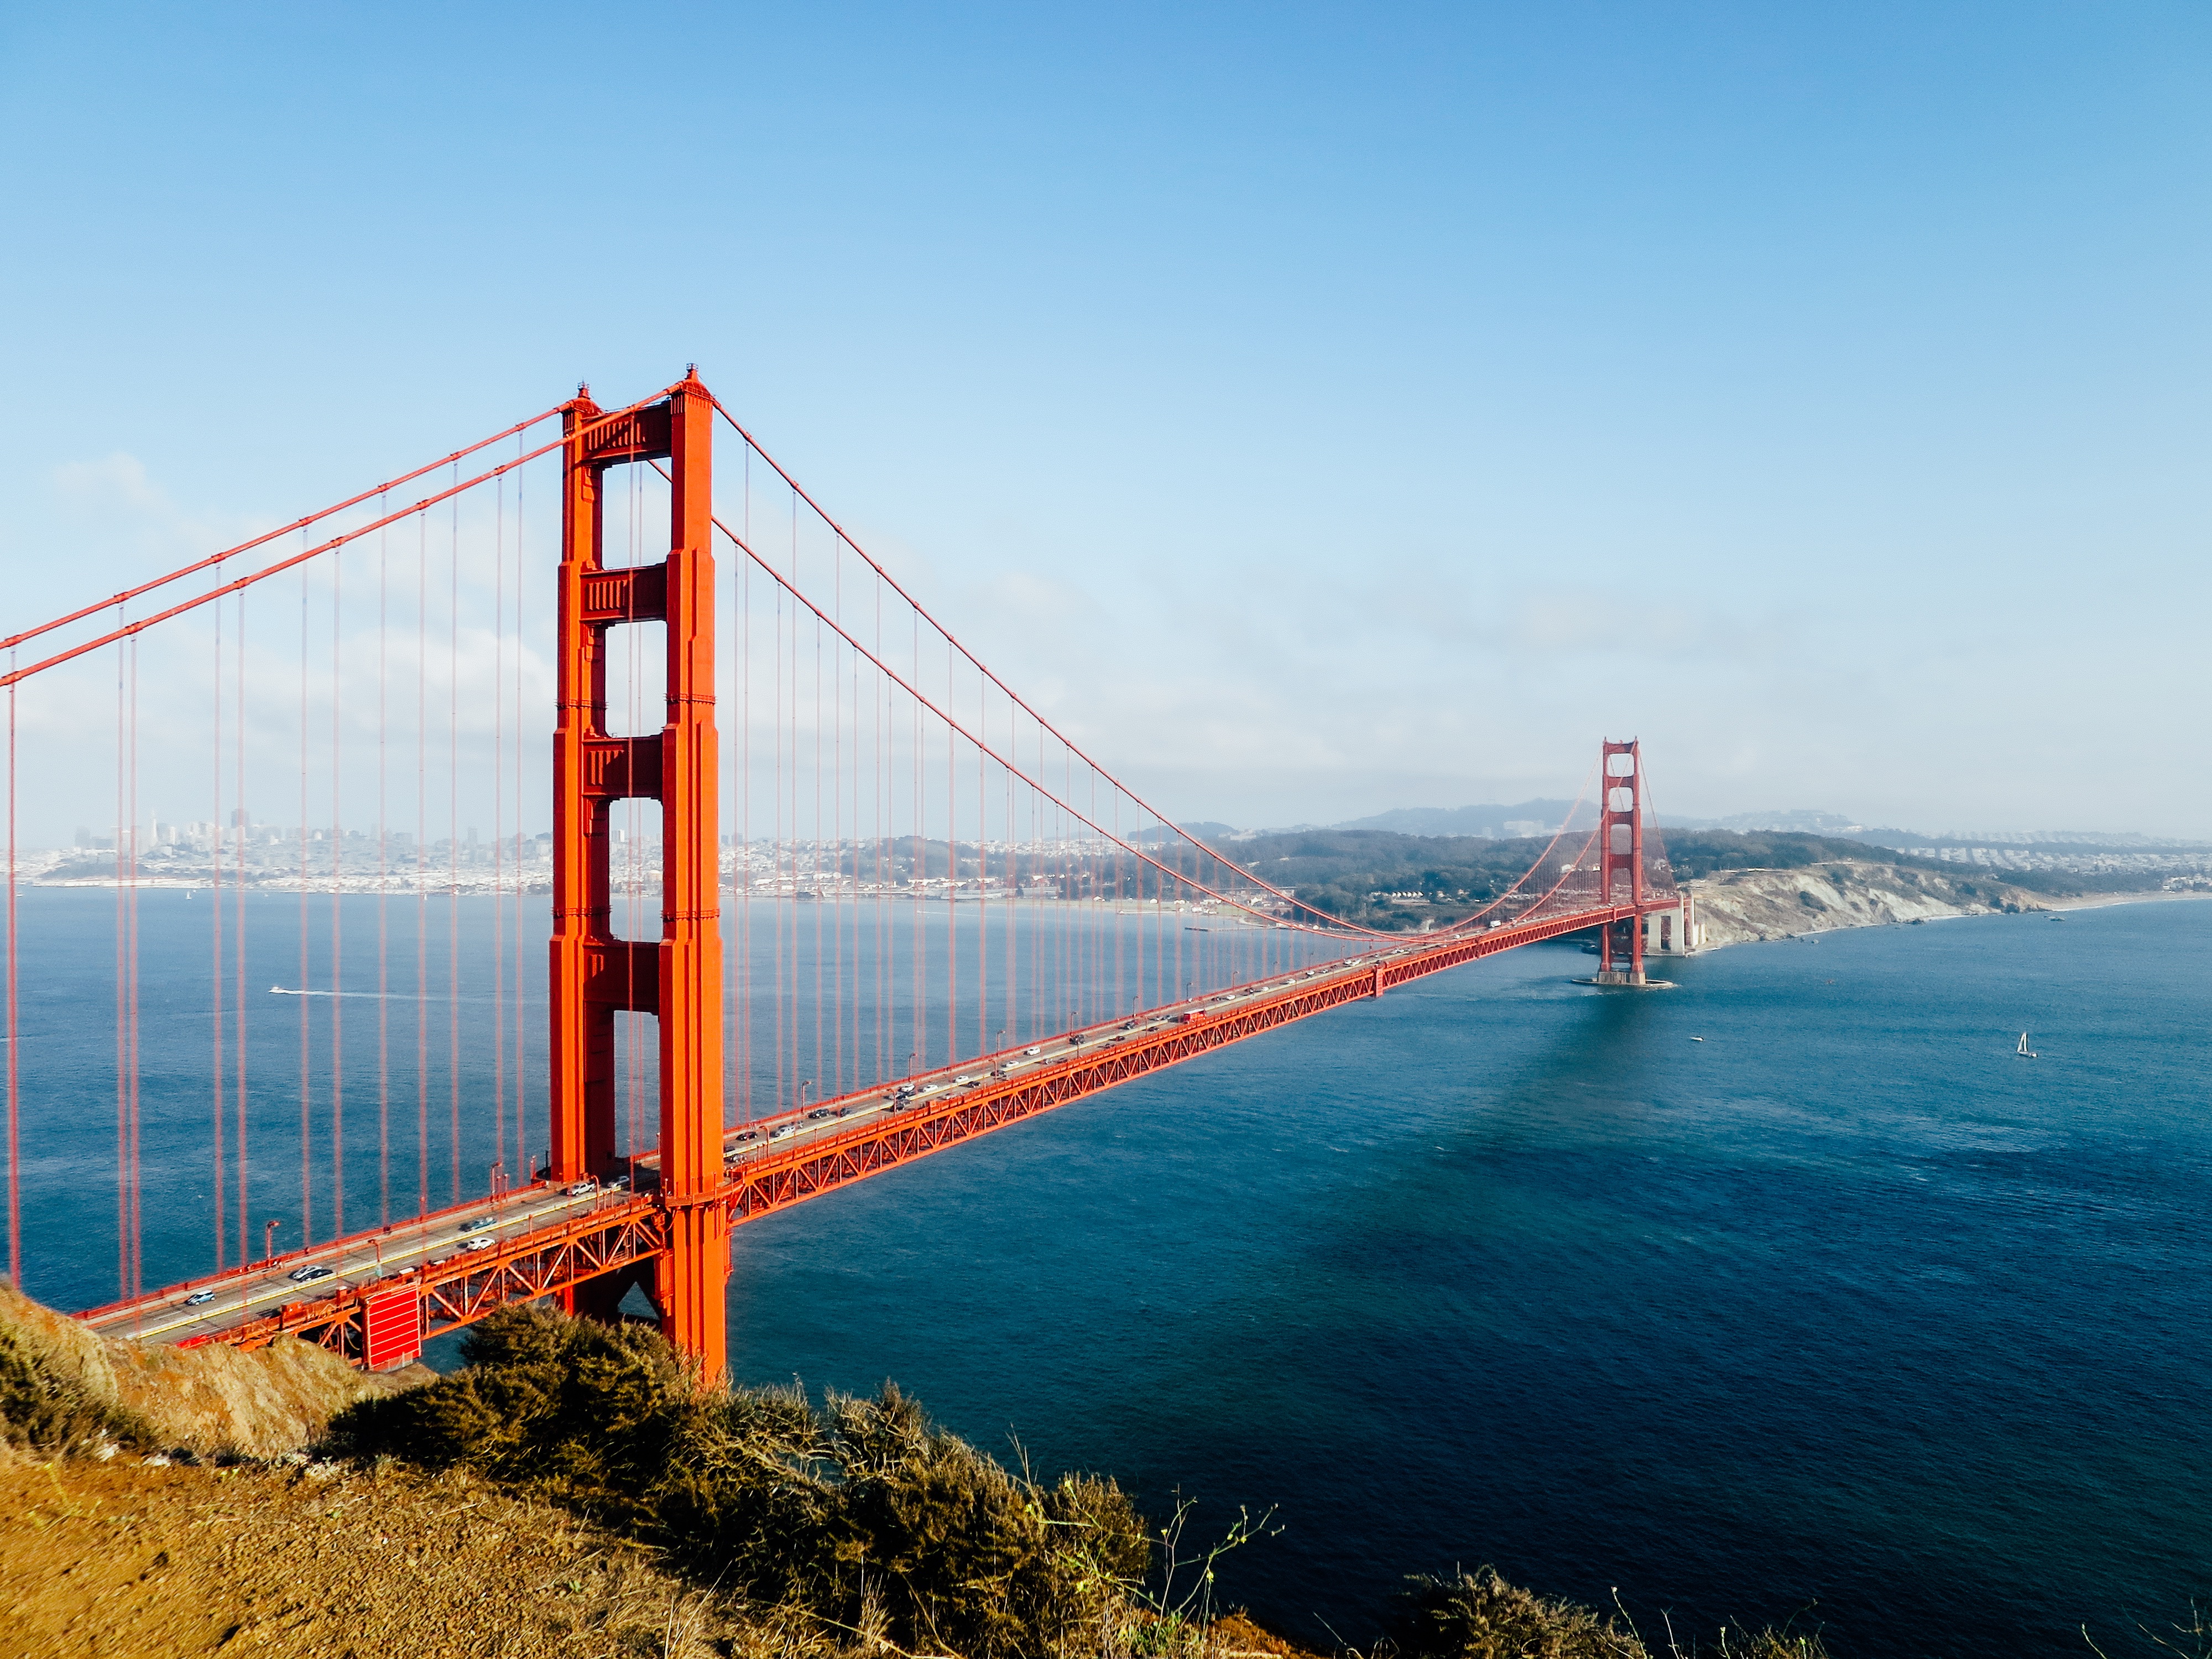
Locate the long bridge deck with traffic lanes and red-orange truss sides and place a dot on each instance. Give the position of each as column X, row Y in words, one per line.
column 532, row 1242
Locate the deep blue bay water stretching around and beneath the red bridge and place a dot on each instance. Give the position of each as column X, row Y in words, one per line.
column 1841, row 1315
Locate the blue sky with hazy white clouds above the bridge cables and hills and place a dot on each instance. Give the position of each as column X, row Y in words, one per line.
column 1315, row 410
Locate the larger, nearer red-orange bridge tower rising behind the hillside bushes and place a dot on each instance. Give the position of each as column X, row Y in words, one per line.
column 596, row 974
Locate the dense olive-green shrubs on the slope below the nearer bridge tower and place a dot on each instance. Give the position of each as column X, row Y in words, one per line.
column 862, row 1514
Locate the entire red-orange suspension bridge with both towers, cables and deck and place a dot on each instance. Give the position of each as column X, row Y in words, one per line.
column 893, row 910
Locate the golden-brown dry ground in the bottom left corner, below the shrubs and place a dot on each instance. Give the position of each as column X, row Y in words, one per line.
column 129, row 1561
